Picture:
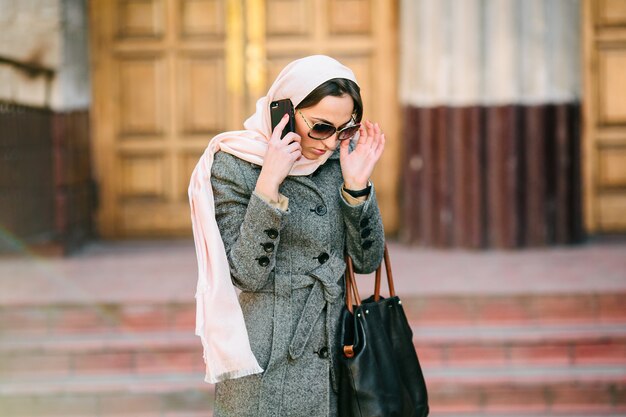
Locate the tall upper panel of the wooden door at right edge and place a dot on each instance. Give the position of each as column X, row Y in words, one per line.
column 612, row 86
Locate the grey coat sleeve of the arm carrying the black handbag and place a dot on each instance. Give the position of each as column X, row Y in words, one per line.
column 365, row 236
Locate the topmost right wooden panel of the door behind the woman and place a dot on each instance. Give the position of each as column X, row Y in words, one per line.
column 350, row 16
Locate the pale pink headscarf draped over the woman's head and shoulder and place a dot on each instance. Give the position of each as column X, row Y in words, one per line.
column 219, row 319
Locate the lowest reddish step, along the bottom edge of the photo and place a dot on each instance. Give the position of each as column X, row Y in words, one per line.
column 175, row 394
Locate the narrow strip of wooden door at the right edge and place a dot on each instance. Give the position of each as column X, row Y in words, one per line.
column 604, row 143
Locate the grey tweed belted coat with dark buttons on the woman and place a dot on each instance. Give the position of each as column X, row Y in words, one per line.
column 289, row 266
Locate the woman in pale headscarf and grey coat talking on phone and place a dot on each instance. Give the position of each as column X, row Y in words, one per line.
column 277, row 220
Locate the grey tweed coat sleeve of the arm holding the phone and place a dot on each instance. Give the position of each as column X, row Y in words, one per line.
column 250, row 226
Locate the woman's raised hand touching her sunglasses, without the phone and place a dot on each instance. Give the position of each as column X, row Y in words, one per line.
column 357, row 166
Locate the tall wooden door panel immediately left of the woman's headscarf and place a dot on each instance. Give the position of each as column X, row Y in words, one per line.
column 202, row 94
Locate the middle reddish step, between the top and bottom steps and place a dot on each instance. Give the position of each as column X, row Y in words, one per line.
column 453, row 347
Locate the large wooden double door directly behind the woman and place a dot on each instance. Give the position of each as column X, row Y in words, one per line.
column 170, row 74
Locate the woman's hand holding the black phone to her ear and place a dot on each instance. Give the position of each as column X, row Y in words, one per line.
column 279, row 159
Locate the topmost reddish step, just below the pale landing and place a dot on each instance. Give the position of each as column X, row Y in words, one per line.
column 539, row 309
